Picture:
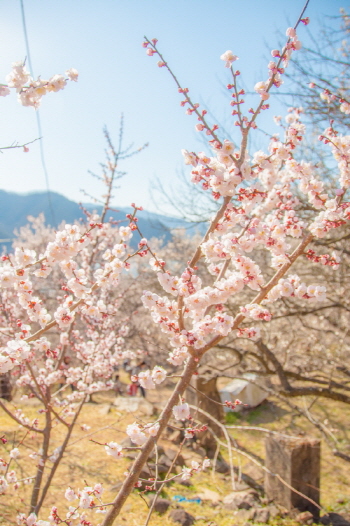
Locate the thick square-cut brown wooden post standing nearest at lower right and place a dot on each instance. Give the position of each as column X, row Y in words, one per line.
column 297, row 462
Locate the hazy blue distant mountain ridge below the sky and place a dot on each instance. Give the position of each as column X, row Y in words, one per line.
column 15, row 209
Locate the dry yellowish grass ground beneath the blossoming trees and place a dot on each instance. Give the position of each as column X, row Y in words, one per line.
column 86, row 463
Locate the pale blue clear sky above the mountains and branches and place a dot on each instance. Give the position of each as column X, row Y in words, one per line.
column 102, row 39
